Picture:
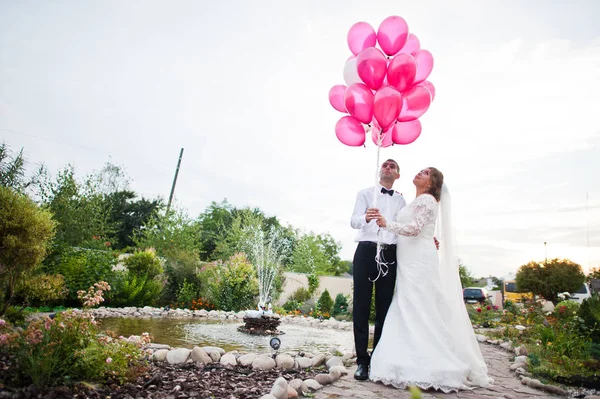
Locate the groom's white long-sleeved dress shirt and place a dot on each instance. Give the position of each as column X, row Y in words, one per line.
column 388, row 205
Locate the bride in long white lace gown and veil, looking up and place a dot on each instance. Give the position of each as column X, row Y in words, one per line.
column 427, row 338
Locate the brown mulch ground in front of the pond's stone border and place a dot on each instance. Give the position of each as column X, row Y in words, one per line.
column 164, row 381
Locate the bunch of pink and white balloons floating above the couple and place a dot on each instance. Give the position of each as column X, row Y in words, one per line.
column 386, row 90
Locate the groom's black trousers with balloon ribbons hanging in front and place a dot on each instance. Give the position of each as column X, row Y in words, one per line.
column 365, row 268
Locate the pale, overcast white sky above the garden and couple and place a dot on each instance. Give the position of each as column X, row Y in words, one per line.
column 243, row 88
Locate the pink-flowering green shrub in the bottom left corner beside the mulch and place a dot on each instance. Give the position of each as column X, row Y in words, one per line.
column 54, row 351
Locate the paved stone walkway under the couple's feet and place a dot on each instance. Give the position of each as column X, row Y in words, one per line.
column 506, row 384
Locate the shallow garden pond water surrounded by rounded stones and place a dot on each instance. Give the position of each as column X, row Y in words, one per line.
column 188, row 333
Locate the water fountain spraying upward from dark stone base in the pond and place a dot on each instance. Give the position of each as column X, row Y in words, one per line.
column 266, row 254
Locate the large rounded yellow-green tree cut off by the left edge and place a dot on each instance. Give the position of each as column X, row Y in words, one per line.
column 25, row 231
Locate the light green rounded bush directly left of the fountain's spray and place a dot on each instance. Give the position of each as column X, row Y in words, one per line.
column 230, row 285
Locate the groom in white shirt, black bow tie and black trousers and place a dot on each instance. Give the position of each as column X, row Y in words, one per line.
column 365, row 269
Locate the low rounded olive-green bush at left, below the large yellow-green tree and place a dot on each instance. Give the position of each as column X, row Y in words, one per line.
column 41, row 289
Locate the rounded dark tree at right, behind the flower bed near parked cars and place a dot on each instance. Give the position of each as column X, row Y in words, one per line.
column 550, row 278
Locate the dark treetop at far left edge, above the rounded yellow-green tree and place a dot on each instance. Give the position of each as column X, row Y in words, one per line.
column 12, row 170
